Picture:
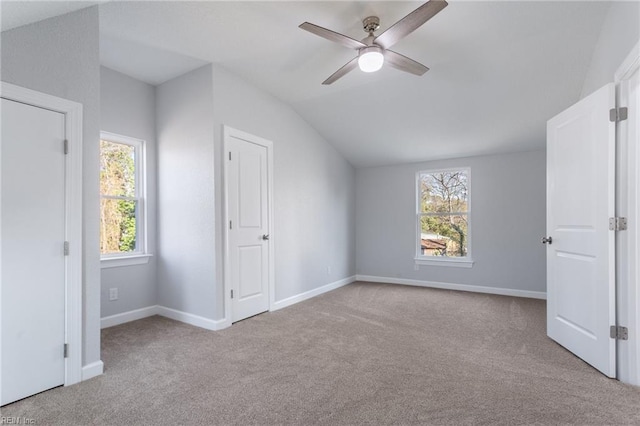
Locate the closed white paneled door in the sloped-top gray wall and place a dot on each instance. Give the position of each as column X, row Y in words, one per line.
column 248, row 212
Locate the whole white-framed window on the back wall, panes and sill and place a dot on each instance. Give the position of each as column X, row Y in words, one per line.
column 443, row 211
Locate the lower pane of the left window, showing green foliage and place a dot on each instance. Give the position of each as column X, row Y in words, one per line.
column 118, row 226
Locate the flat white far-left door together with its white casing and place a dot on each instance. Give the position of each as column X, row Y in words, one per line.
column 40, row 209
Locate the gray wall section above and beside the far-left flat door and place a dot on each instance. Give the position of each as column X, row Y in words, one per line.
column 59, row 56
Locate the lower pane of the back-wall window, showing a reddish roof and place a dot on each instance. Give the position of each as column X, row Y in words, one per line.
column 443, row 235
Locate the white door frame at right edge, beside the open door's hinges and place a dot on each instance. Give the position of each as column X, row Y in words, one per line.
column 628, row 285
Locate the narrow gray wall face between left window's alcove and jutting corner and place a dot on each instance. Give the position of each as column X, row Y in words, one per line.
column 186, row 208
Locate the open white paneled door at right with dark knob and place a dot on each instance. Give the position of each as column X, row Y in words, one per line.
column 580, row 255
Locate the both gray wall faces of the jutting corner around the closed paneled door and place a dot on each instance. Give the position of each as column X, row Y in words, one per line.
column 314, row 192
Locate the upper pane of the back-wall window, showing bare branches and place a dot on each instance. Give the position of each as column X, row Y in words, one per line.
column 444, row 192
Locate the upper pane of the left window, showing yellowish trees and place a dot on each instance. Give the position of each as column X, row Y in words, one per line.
column 117, row 169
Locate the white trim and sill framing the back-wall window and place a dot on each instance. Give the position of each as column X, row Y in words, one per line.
column 461, row 262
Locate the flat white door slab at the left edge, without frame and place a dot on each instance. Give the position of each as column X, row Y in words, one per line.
column 32, row 252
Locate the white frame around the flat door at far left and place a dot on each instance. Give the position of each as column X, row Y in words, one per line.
column 73, row 217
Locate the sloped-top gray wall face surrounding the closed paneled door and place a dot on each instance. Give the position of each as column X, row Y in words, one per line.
column 314, row 188
